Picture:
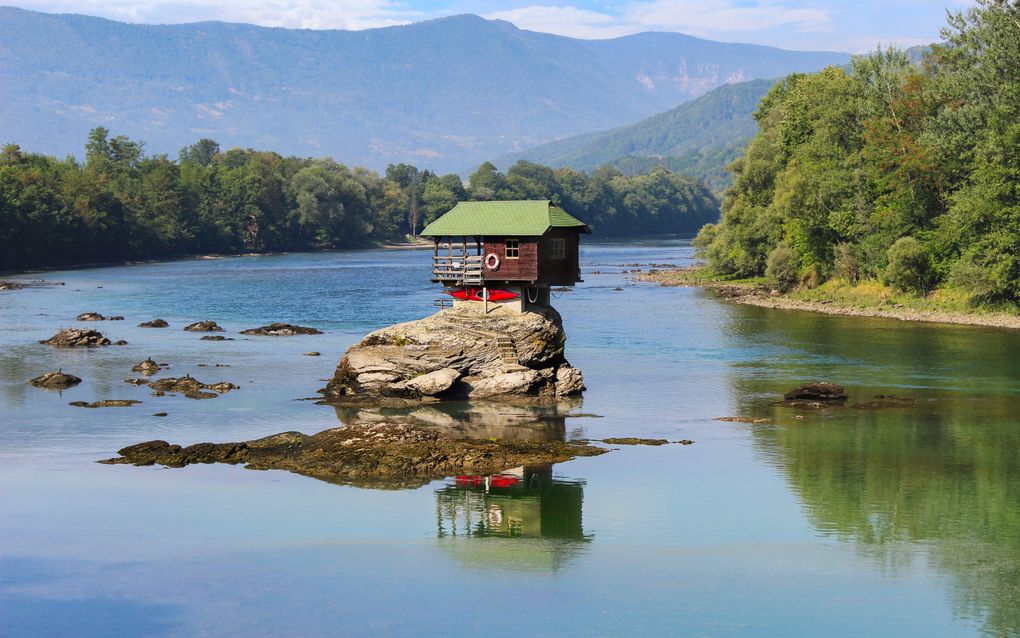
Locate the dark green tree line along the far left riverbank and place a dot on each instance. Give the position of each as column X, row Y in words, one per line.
column 122, row 205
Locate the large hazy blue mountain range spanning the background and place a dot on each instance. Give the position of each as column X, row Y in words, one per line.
column 446, row 93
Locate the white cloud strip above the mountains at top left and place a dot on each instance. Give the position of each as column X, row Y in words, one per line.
column 290, row 14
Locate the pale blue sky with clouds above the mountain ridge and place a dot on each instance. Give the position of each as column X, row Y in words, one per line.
column 804, row 25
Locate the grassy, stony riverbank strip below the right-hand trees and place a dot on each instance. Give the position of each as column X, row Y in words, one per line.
column 866, row 300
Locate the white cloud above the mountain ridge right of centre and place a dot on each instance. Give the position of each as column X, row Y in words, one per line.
column 707, row 18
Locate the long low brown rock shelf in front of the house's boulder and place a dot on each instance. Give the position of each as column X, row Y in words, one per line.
column 381, row 456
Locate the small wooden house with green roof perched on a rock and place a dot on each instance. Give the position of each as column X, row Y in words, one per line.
column 506, row 254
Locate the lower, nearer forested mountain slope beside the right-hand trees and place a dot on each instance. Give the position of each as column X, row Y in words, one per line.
column 697, row 138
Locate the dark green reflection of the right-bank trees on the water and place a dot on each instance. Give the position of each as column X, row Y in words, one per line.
column 940, row 479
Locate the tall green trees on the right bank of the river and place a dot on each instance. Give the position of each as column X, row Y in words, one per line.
column 888, row 171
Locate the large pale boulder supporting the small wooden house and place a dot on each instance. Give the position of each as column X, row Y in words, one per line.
column 495, row 356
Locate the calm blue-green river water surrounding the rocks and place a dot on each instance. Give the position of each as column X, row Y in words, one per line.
column 847, row 522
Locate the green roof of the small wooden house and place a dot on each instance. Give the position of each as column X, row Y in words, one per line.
column 520, row 218
